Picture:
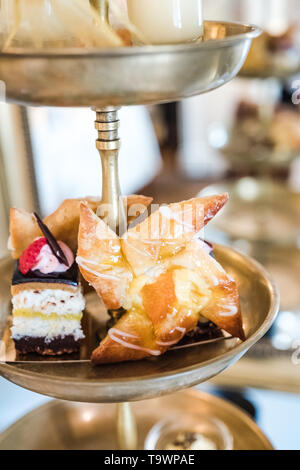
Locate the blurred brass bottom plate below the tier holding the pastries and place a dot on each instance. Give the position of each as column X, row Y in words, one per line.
column 70, row 426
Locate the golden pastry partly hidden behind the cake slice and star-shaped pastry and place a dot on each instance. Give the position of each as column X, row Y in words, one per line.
column 63, row 223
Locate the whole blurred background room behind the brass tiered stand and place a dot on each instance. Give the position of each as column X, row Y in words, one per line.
column 244, row 139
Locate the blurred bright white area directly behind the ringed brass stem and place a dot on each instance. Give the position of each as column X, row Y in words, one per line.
column 67, row 163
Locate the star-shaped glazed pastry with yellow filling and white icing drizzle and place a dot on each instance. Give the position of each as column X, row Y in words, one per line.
column 160, row 277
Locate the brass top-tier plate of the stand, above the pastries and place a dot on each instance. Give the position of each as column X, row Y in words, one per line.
column 127, row 76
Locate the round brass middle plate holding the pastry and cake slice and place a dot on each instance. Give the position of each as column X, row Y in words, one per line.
column 173, row 371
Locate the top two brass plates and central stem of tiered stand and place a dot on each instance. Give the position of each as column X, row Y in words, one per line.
column 106, row 80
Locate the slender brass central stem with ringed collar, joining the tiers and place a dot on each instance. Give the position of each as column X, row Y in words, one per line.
column 112, row 211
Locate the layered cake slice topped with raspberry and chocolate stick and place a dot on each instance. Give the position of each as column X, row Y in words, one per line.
column 47, row 299
